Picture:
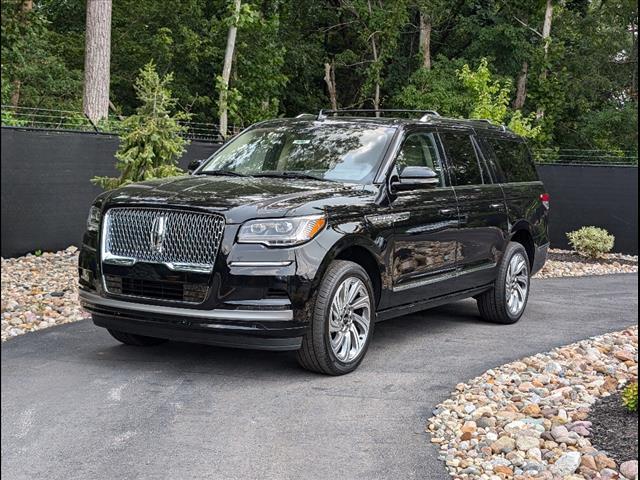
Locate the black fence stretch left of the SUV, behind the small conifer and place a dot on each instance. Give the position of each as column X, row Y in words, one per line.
column 46, row 190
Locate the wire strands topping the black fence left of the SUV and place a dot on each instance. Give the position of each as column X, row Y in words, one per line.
column 70, row 120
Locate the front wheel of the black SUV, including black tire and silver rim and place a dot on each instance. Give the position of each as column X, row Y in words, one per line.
column 342, row 318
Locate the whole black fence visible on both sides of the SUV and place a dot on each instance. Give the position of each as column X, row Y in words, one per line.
column 46, row 191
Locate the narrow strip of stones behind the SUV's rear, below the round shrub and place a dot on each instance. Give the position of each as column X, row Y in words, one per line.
column 565, row 263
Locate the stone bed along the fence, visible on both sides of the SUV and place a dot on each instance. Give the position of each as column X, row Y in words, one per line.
column 41, row 291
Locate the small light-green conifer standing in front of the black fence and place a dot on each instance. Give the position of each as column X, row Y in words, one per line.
column 152, row 142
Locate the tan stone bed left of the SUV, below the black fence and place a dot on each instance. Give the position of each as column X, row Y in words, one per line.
column 39, row 292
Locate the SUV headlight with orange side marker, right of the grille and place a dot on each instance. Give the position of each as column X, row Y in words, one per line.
column 281, row 232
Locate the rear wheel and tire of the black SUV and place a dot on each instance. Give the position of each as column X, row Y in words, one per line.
column 506, row 301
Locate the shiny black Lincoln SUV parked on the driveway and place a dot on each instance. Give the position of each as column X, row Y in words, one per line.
column 300, row 234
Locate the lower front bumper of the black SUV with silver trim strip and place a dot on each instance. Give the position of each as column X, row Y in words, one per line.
column 240, row 328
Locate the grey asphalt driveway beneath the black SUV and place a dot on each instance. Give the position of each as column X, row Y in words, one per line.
column 77, row 405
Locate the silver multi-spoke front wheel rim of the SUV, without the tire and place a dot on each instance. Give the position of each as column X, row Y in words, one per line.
column 349, row 319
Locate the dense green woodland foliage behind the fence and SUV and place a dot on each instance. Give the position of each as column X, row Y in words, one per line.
column 588, row 91
